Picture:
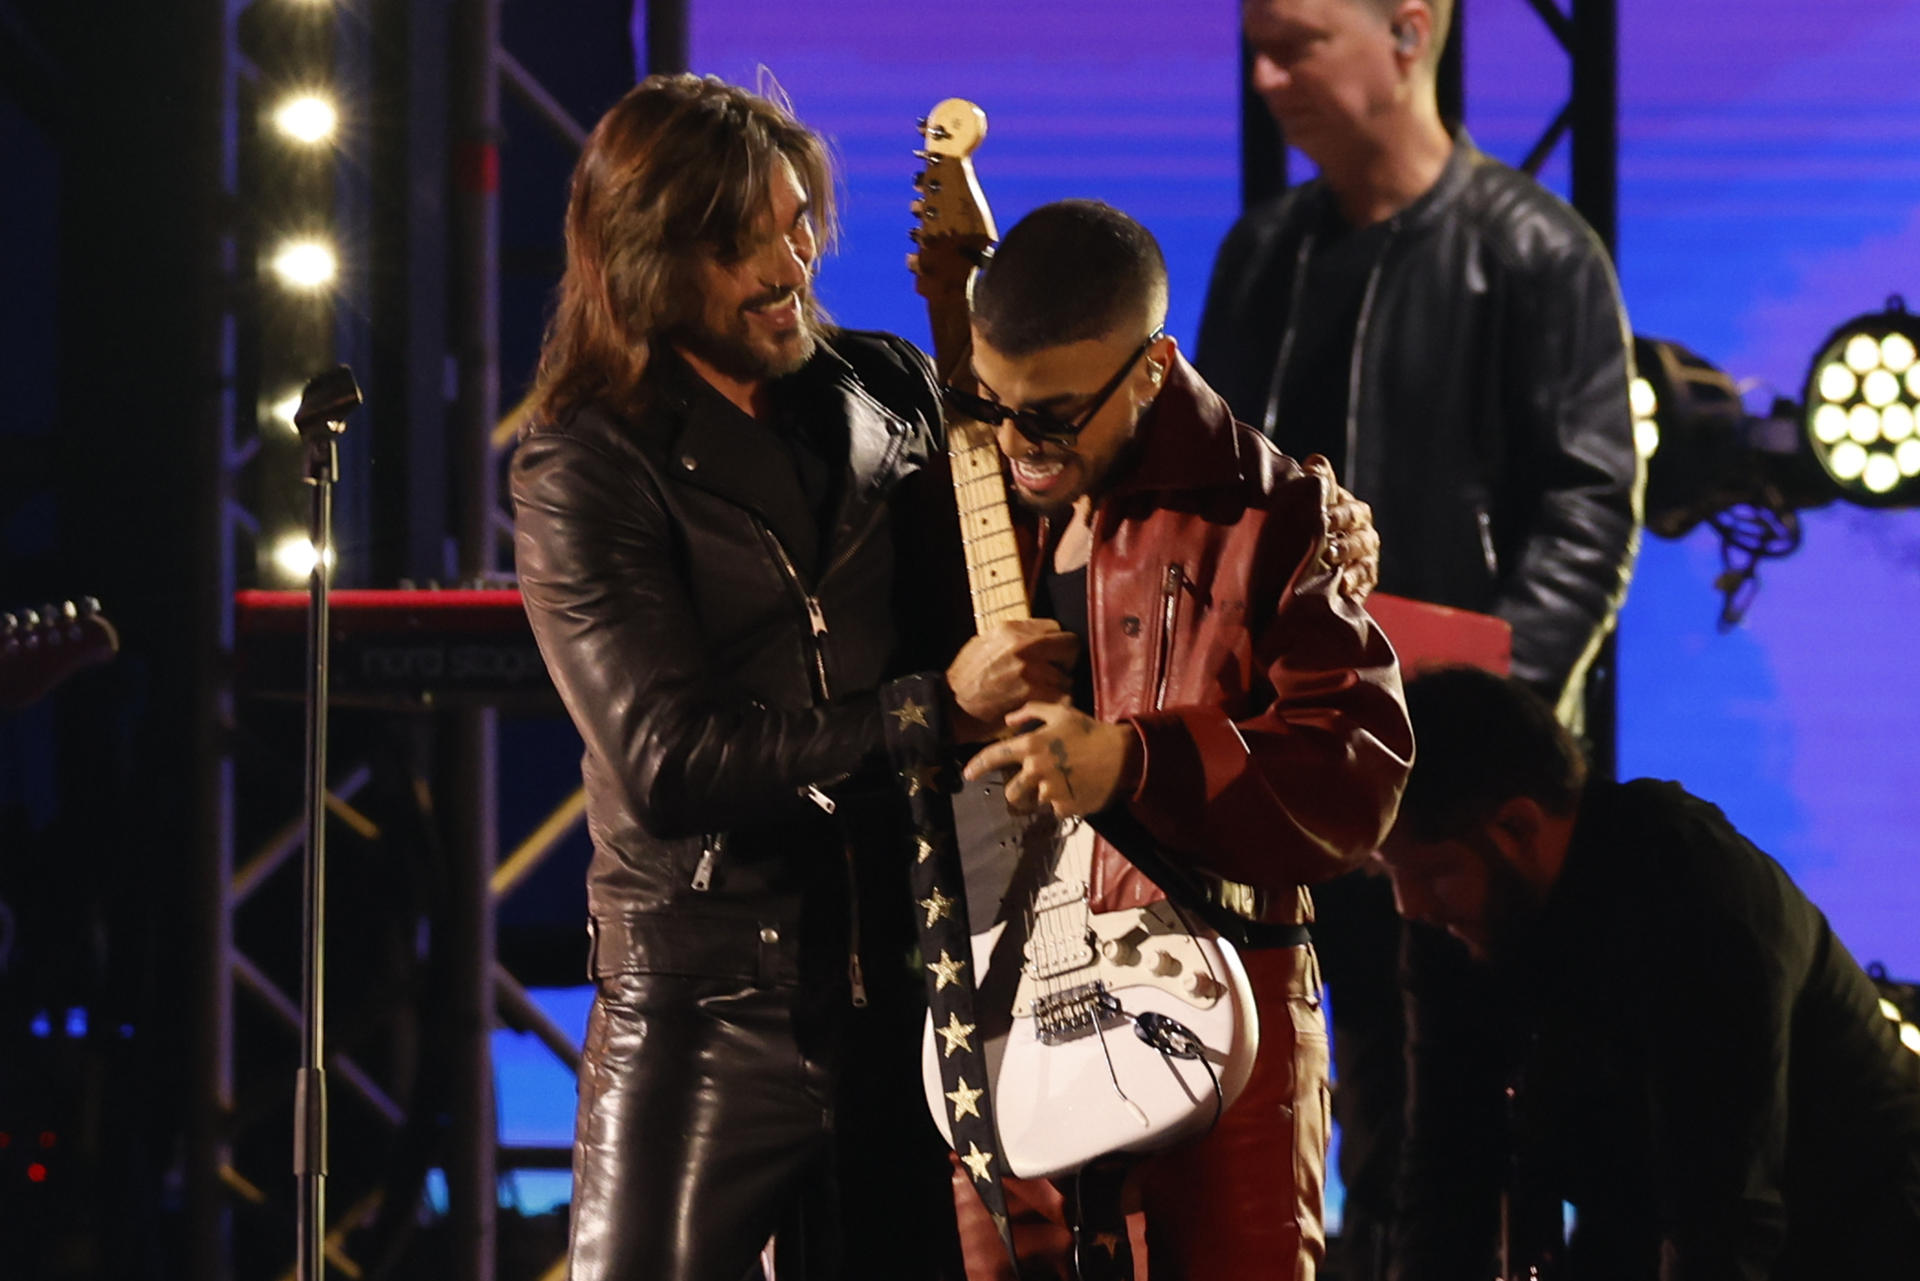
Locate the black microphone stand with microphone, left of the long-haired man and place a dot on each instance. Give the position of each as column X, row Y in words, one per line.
column 322, row 420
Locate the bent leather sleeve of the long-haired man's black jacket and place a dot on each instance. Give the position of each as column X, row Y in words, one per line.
column 617, row 629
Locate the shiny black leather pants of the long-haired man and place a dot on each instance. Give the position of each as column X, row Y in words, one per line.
column 709, row 1121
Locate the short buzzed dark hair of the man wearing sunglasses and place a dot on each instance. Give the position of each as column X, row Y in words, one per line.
column 1068, row 272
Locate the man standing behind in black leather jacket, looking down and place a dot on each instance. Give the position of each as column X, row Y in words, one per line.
column 1451, row 335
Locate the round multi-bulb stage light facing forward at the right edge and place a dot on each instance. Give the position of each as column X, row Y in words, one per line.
column 1861, row 406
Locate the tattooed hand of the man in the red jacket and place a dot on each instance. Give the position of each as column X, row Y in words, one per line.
column 1067, row 760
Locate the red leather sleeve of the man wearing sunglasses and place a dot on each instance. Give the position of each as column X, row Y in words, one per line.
column 1310, row 785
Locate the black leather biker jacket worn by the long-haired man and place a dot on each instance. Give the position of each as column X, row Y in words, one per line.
column 721, row 654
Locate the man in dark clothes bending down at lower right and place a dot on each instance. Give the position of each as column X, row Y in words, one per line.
column 1691, row 1057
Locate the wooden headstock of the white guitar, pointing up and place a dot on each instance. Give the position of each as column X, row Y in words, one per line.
column 955, row 233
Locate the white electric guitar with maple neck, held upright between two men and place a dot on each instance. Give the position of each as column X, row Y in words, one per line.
column 1103, row 1032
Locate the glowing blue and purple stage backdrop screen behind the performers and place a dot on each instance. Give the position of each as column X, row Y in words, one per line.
column 1769, row 191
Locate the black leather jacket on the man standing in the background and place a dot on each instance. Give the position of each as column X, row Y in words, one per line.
column 1489, row 412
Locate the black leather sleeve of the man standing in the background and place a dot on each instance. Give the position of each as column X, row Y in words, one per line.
column 1575, row 450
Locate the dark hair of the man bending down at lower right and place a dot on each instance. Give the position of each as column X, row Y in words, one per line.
column 1483, row 740
